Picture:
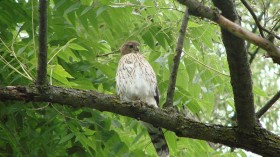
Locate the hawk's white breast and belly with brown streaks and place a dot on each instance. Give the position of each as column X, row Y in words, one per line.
column 135, row 78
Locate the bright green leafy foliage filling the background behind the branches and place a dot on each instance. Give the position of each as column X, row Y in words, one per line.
column 83, row 42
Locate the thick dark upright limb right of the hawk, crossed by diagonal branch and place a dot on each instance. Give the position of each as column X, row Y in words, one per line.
column 240, row 72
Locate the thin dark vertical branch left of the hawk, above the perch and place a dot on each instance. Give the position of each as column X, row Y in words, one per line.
column 42, row 57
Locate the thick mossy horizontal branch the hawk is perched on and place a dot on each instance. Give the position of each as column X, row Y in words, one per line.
column 258, row 140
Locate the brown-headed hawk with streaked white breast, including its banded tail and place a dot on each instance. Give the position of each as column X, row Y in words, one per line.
column 136, row 80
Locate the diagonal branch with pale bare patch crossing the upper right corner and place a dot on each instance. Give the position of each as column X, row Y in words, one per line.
column 197, row 9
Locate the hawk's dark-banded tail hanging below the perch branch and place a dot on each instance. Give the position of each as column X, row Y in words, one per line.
column 158, row 140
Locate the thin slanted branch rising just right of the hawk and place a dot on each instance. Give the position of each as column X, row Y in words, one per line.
column 176, row 61
